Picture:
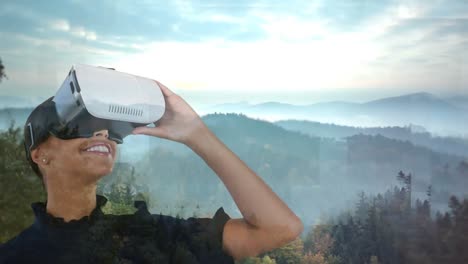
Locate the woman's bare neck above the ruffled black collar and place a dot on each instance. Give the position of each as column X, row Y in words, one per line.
column 70, row 202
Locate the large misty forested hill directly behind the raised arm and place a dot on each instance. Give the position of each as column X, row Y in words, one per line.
column 301, row 168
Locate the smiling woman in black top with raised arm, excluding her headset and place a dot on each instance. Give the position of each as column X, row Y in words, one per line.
column 71, row 168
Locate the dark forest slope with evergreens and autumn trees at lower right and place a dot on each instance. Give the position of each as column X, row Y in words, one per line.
column 386, row 228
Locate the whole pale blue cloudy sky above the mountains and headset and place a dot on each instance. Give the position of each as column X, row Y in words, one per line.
column 295, row 51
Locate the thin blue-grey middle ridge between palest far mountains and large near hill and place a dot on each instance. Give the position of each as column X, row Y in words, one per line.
column 414, row 134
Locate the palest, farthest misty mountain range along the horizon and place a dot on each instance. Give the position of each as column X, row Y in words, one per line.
column 437, row 115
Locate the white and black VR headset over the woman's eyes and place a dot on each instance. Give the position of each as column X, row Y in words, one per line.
column 96, row 98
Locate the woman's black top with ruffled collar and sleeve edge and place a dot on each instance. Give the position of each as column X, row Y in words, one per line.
column 101, row 238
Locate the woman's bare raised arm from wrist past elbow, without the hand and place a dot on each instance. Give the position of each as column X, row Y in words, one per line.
column 268, row 223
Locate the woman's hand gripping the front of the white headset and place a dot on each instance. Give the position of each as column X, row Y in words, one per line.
column 179, row 122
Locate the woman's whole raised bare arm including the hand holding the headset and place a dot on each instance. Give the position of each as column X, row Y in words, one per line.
column 267, row 221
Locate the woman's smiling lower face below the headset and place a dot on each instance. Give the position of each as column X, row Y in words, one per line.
column 86, row 159
